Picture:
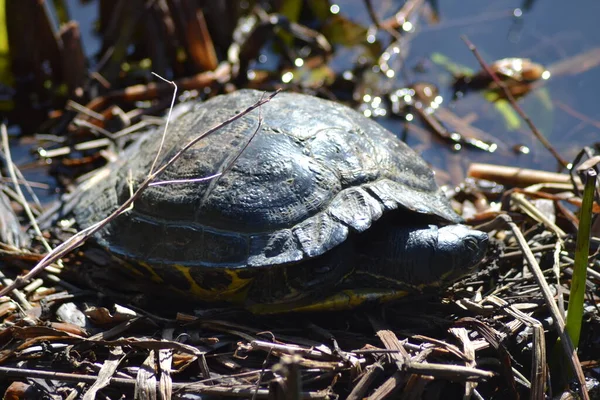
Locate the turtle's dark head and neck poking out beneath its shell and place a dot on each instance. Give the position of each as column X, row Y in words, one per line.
column 418, row 258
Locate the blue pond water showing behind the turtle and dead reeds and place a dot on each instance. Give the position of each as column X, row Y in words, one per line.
column 566, row 108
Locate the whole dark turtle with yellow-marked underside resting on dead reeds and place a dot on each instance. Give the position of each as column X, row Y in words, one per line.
column 312, row 206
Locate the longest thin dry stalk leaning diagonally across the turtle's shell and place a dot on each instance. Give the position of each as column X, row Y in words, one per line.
column 79, row 238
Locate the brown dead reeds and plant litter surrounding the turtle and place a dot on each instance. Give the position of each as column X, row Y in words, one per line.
column 493, row 334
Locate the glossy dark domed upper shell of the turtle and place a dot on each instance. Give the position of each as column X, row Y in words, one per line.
column 313, row 172
